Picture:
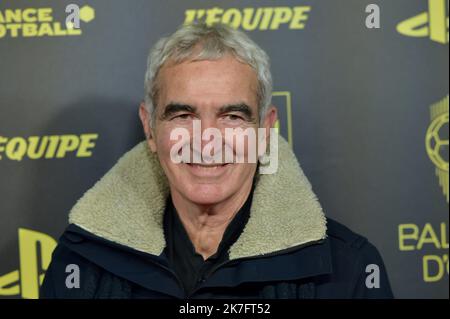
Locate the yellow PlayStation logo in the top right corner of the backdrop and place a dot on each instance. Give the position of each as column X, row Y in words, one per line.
column 432, row 24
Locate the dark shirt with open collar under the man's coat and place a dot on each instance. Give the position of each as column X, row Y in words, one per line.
column 189, row 266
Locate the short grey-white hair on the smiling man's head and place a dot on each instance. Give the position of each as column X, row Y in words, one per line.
column 200, row 41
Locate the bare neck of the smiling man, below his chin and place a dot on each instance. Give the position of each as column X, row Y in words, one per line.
column 206, row 224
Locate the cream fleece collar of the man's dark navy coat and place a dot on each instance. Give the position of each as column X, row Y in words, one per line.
column 126, row 206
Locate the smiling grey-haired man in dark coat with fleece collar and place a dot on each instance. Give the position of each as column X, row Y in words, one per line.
column 156, row 227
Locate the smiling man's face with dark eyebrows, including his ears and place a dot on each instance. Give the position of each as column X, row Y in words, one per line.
column 221, row 94
